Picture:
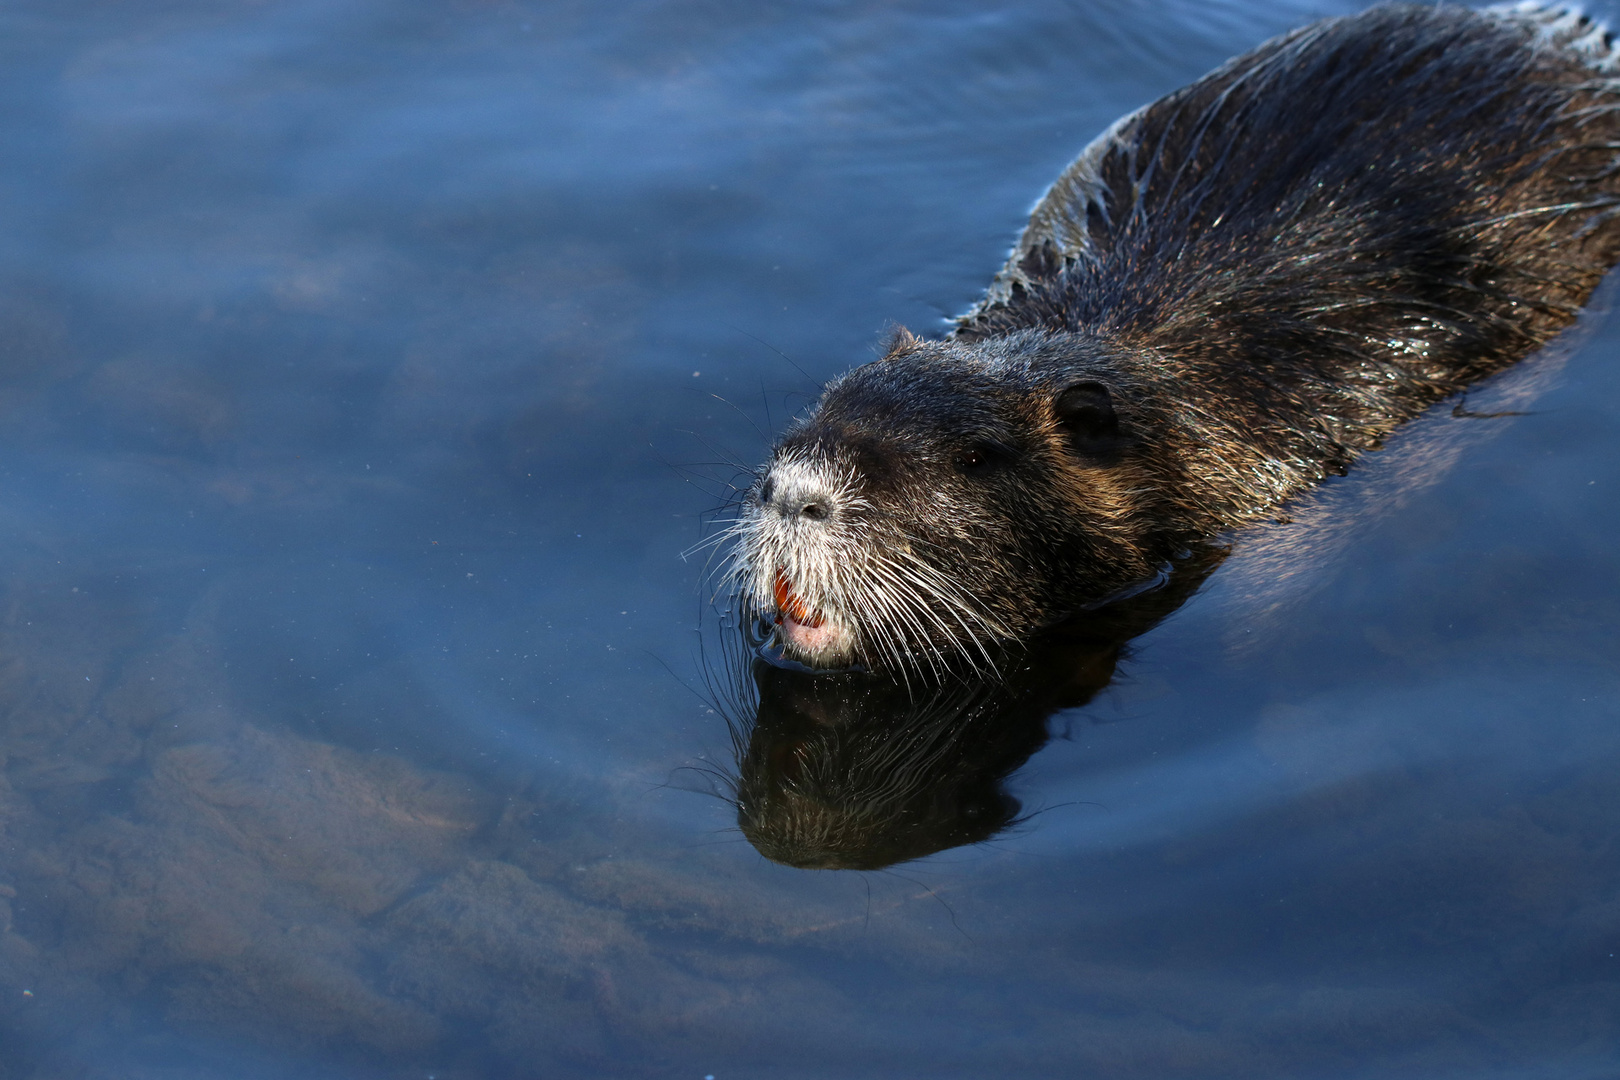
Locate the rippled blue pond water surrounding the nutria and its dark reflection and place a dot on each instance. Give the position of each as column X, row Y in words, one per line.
column 369, row 373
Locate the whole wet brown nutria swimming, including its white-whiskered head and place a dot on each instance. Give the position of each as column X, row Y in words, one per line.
column 1229, row 297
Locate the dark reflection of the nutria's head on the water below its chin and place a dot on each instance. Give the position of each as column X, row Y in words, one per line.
column 850, row 770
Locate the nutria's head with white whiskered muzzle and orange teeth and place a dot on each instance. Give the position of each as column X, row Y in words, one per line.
column 949, row 496
